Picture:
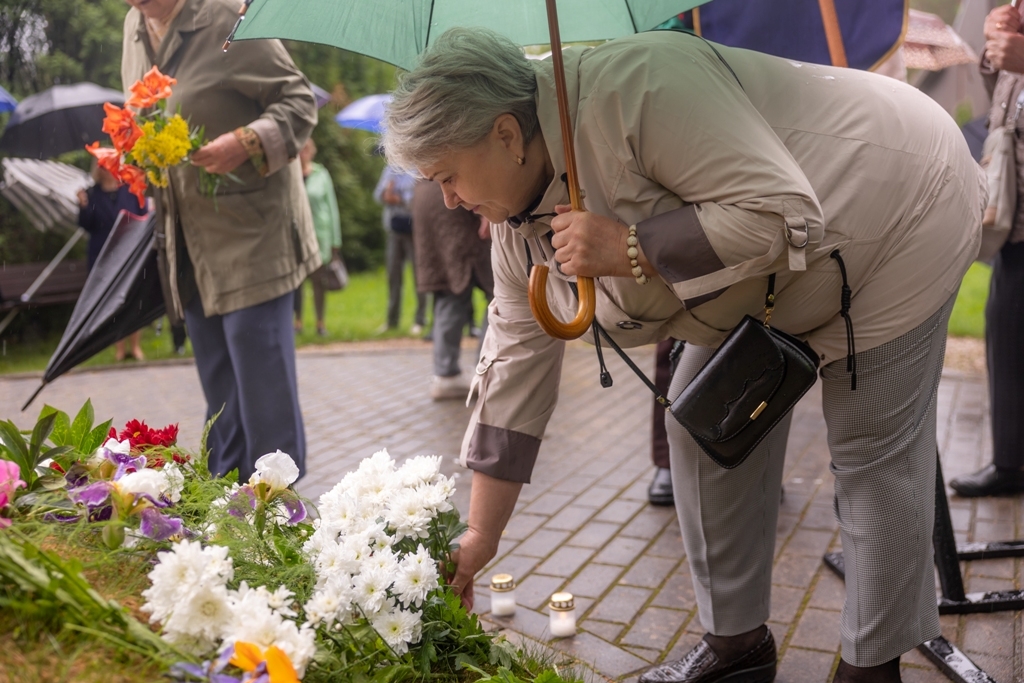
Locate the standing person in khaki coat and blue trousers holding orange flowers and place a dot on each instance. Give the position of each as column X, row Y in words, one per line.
column 233, row 262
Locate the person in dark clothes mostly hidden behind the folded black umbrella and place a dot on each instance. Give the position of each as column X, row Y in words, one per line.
column 100, row 207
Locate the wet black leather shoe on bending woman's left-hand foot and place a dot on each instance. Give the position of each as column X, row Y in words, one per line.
column 702, row 666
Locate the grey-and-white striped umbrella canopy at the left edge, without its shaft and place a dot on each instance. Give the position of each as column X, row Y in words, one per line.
column 47, row 192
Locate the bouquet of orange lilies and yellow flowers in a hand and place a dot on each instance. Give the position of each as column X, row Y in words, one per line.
column 146, row 146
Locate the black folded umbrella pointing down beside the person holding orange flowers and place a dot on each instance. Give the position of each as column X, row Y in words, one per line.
column 121, row 295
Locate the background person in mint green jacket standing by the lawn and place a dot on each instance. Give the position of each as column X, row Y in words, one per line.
column 327, row 224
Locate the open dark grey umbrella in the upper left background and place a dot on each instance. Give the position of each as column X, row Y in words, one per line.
column 59, row 120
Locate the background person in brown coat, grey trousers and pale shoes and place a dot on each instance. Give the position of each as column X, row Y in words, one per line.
column 453, row 255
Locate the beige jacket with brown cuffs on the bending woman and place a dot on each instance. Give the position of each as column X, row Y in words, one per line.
column 729, row 184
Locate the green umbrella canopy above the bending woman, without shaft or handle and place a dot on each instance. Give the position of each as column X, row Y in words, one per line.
column 397, row 31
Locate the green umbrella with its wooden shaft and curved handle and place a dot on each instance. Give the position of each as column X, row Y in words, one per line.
column 397, row 31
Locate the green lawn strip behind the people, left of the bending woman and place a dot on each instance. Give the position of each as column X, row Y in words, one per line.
column 353, row 315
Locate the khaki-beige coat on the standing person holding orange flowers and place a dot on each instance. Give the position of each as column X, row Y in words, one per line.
column 258, row 242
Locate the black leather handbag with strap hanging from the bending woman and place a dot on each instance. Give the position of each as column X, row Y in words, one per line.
column 750, row 383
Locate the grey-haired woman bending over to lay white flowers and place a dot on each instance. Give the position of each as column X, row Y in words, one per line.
column 705, row 172
